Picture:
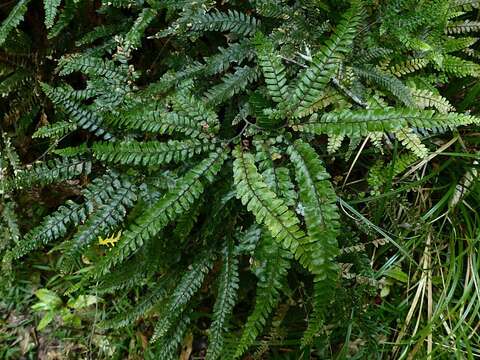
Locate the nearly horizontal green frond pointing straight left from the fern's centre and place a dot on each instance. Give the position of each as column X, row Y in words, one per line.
column 149, row 153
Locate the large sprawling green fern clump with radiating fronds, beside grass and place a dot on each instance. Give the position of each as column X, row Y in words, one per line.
column 205, row 135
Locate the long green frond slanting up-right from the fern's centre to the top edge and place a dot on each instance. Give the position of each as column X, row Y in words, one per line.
column 313, row 81
